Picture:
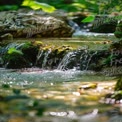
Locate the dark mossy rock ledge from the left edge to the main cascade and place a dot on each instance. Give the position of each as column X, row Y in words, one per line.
column 29, row 54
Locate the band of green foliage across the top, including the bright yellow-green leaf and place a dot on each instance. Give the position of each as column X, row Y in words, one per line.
column 94, row 6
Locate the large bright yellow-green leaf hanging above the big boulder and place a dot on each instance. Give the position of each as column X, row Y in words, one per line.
column 37, row 5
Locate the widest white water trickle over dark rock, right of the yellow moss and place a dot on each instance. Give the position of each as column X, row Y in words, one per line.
column 80, row 59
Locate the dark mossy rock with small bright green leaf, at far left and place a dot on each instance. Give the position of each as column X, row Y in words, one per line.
column 19, row 55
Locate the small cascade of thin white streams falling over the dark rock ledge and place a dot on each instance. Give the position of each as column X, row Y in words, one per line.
column 79, row 59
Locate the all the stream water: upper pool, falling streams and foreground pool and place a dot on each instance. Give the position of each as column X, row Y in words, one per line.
column 66, row 95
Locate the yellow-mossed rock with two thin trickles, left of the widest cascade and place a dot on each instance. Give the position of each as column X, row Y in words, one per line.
column 50, row 56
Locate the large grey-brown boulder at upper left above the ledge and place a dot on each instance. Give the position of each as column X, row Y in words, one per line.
column 33, row 24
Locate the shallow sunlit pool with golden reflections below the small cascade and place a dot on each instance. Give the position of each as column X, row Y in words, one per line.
column 58, row 91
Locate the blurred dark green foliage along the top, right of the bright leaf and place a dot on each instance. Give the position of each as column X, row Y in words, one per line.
column 95, row 6
